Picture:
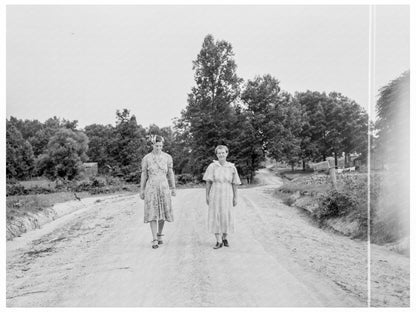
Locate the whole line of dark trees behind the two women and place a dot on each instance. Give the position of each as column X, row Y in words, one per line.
column 254, row 118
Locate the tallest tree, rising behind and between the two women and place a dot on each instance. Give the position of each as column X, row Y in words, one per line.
column 209, row 115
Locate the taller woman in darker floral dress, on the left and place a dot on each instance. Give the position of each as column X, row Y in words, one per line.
column 157, row 168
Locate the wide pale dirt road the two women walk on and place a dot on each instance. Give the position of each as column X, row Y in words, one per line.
column 102, row 257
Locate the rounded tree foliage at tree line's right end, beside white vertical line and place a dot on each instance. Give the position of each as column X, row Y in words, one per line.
column 332, row 124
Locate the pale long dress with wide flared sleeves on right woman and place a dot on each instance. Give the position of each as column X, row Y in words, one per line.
column 221, row 210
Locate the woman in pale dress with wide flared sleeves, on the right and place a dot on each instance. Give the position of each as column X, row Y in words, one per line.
column 221, row 196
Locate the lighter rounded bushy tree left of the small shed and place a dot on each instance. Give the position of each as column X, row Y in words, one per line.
column 65, row 154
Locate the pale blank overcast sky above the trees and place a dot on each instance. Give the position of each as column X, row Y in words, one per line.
column 85, row 62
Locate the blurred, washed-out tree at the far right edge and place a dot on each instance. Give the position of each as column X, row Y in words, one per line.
column 393, row 138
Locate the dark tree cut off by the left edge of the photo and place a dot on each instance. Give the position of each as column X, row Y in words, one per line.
column 19, row 154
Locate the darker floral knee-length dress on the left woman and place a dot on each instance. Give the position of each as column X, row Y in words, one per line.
column 157, row 199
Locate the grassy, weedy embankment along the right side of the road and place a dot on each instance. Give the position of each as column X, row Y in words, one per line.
column 344, row 209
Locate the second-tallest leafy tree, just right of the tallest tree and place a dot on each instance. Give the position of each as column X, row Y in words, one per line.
column 273, row 121
